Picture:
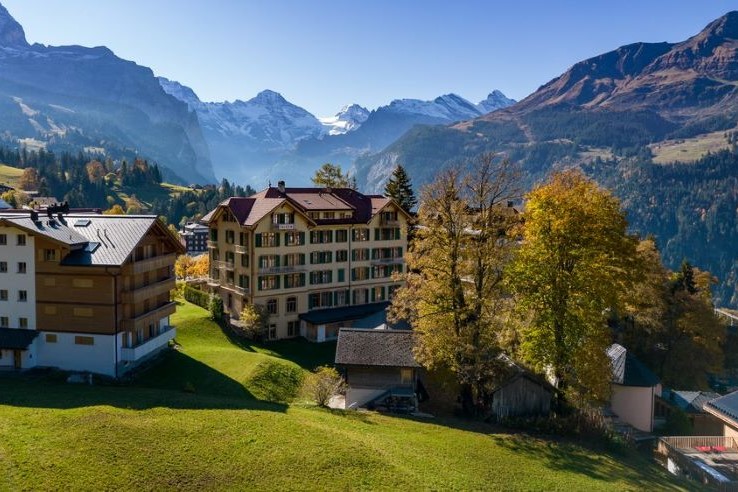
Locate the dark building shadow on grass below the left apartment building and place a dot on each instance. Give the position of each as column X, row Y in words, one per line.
column 176, row 381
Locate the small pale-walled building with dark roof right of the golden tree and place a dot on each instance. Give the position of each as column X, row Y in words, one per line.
column 634, row 389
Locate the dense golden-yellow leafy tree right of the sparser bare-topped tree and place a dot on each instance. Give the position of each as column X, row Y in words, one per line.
column 574, row 265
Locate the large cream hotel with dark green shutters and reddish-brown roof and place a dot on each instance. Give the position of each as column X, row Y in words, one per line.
column 298, row 251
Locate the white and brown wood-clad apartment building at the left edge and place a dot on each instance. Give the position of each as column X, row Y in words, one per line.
column 84, row 292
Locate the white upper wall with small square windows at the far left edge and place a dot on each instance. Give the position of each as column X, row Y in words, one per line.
column 13, row 282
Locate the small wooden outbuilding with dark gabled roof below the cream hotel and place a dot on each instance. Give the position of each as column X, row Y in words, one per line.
column 379, row 368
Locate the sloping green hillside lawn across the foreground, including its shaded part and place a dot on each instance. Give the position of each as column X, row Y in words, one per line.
column 152, row 435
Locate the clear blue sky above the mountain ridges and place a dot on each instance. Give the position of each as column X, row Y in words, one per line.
column 323, row 54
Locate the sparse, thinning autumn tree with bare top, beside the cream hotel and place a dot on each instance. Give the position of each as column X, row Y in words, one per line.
column 454, row 296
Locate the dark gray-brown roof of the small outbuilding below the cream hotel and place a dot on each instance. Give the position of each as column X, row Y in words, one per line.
column 389, row 348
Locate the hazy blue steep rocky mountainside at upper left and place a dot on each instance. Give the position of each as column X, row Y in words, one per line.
column 69, row 96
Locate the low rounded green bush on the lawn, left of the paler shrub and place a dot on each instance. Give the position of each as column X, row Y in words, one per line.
column 276, row 381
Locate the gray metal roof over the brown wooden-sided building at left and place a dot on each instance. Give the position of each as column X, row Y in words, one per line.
column 116, row 237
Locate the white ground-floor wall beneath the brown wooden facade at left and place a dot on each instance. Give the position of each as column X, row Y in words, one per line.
column 67, row 355
